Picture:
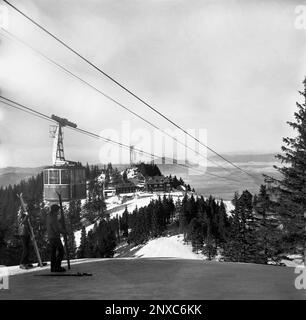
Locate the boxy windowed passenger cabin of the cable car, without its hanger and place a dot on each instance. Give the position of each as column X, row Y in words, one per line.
column 69, row 181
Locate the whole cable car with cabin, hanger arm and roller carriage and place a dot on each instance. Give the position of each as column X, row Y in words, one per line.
column 66, row 178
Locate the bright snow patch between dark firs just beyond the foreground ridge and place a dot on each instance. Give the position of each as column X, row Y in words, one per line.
column 169, row 247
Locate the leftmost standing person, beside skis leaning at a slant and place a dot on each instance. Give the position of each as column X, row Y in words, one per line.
column 24, row 233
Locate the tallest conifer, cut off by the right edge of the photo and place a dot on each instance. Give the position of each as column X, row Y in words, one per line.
column 292, row 185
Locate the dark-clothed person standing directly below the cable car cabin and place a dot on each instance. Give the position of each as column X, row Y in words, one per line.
column 54, row 230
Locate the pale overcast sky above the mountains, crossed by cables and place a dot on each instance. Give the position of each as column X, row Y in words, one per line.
column 231, row 67
